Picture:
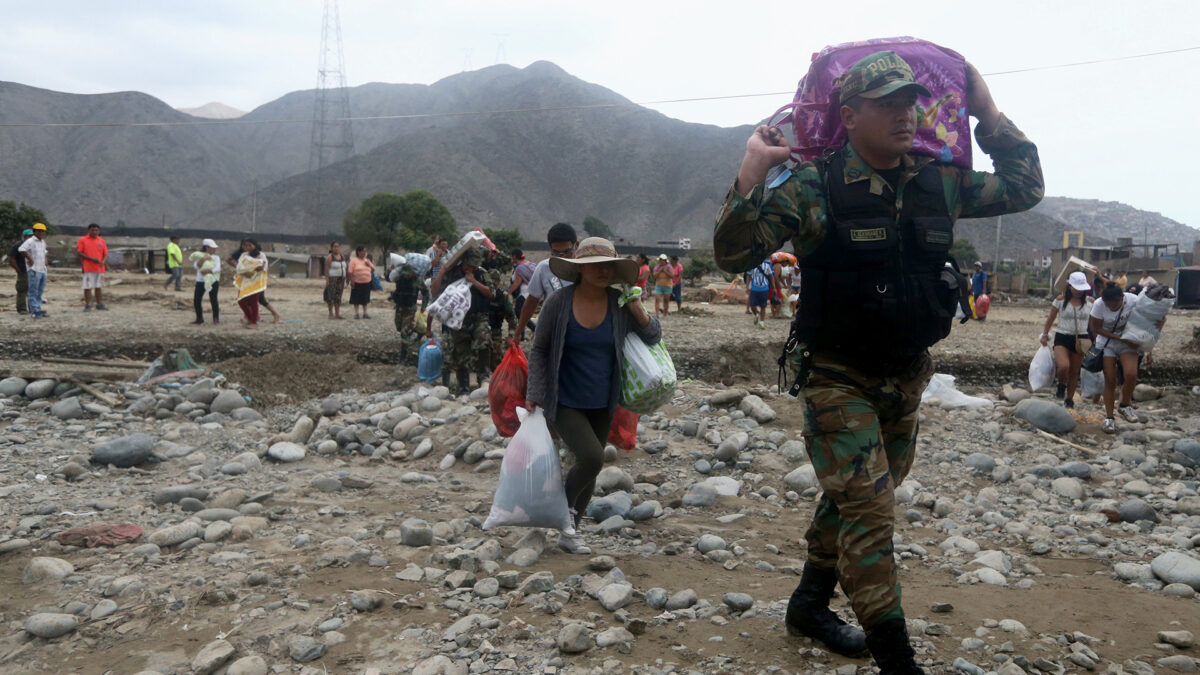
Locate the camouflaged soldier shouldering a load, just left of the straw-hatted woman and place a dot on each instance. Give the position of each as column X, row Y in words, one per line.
column 470, row 348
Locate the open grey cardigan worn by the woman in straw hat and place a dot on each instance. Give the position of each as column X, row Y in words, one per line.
column 548, row 348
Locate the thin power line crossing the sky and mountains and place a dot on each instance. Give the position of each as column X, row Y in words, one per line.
column 539, row 110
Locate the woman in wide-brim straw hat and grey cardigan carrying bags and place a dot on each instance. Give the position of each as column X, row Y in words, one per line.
column 577, row 361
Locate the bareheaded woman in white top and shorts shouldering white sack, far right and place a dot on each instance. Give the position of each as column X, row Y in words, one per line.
column 1109, row 319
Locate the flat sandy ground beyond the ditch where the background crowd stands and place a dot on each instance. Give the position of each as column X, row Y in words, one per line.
column 712, row 343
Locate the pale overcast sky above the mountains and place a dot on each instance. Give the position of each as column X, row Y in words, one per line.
column 1118, row 132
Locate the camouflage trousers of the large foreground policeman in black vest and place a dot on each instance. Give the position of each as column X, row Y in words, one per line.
column 861, row 433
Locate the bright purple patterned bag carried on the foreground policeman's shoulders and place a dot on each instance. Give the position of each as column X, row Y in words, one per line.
column 944, row 130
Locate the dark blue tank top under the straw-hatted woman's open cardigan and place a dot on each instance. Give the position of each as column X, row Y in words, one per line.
column 590, row 357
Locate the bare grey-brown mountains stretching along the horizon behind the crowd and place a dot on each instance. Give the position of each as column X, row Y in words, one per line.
column 470, row 139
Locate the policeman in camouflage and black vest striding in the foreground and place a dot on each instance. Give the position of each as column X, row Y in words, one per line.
column 866, row 366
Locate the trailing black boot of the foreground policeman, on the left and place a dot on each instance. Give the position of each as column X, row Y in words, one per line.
column 809, row 614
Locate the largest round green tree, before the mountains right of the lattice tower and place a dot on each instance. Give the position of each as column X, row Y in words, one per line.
column 386, row 220
